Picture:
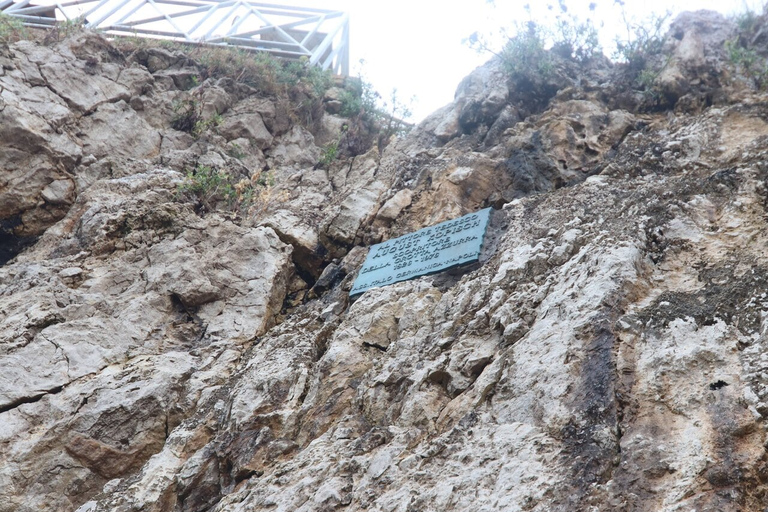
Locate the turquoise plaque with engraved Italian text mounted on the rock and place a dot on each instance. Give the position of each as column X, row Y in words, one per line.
column 426, row 251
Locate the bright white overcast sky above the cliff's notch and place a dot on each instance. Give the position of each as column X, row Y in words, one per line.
column 416, row 45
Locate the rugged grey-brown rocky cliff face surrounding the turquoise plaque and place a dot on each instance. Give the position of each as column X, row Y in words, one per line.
column 164, row 354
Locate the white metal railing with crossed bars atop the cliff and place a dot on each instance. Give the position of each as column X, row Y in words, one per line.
column 320, row 35
